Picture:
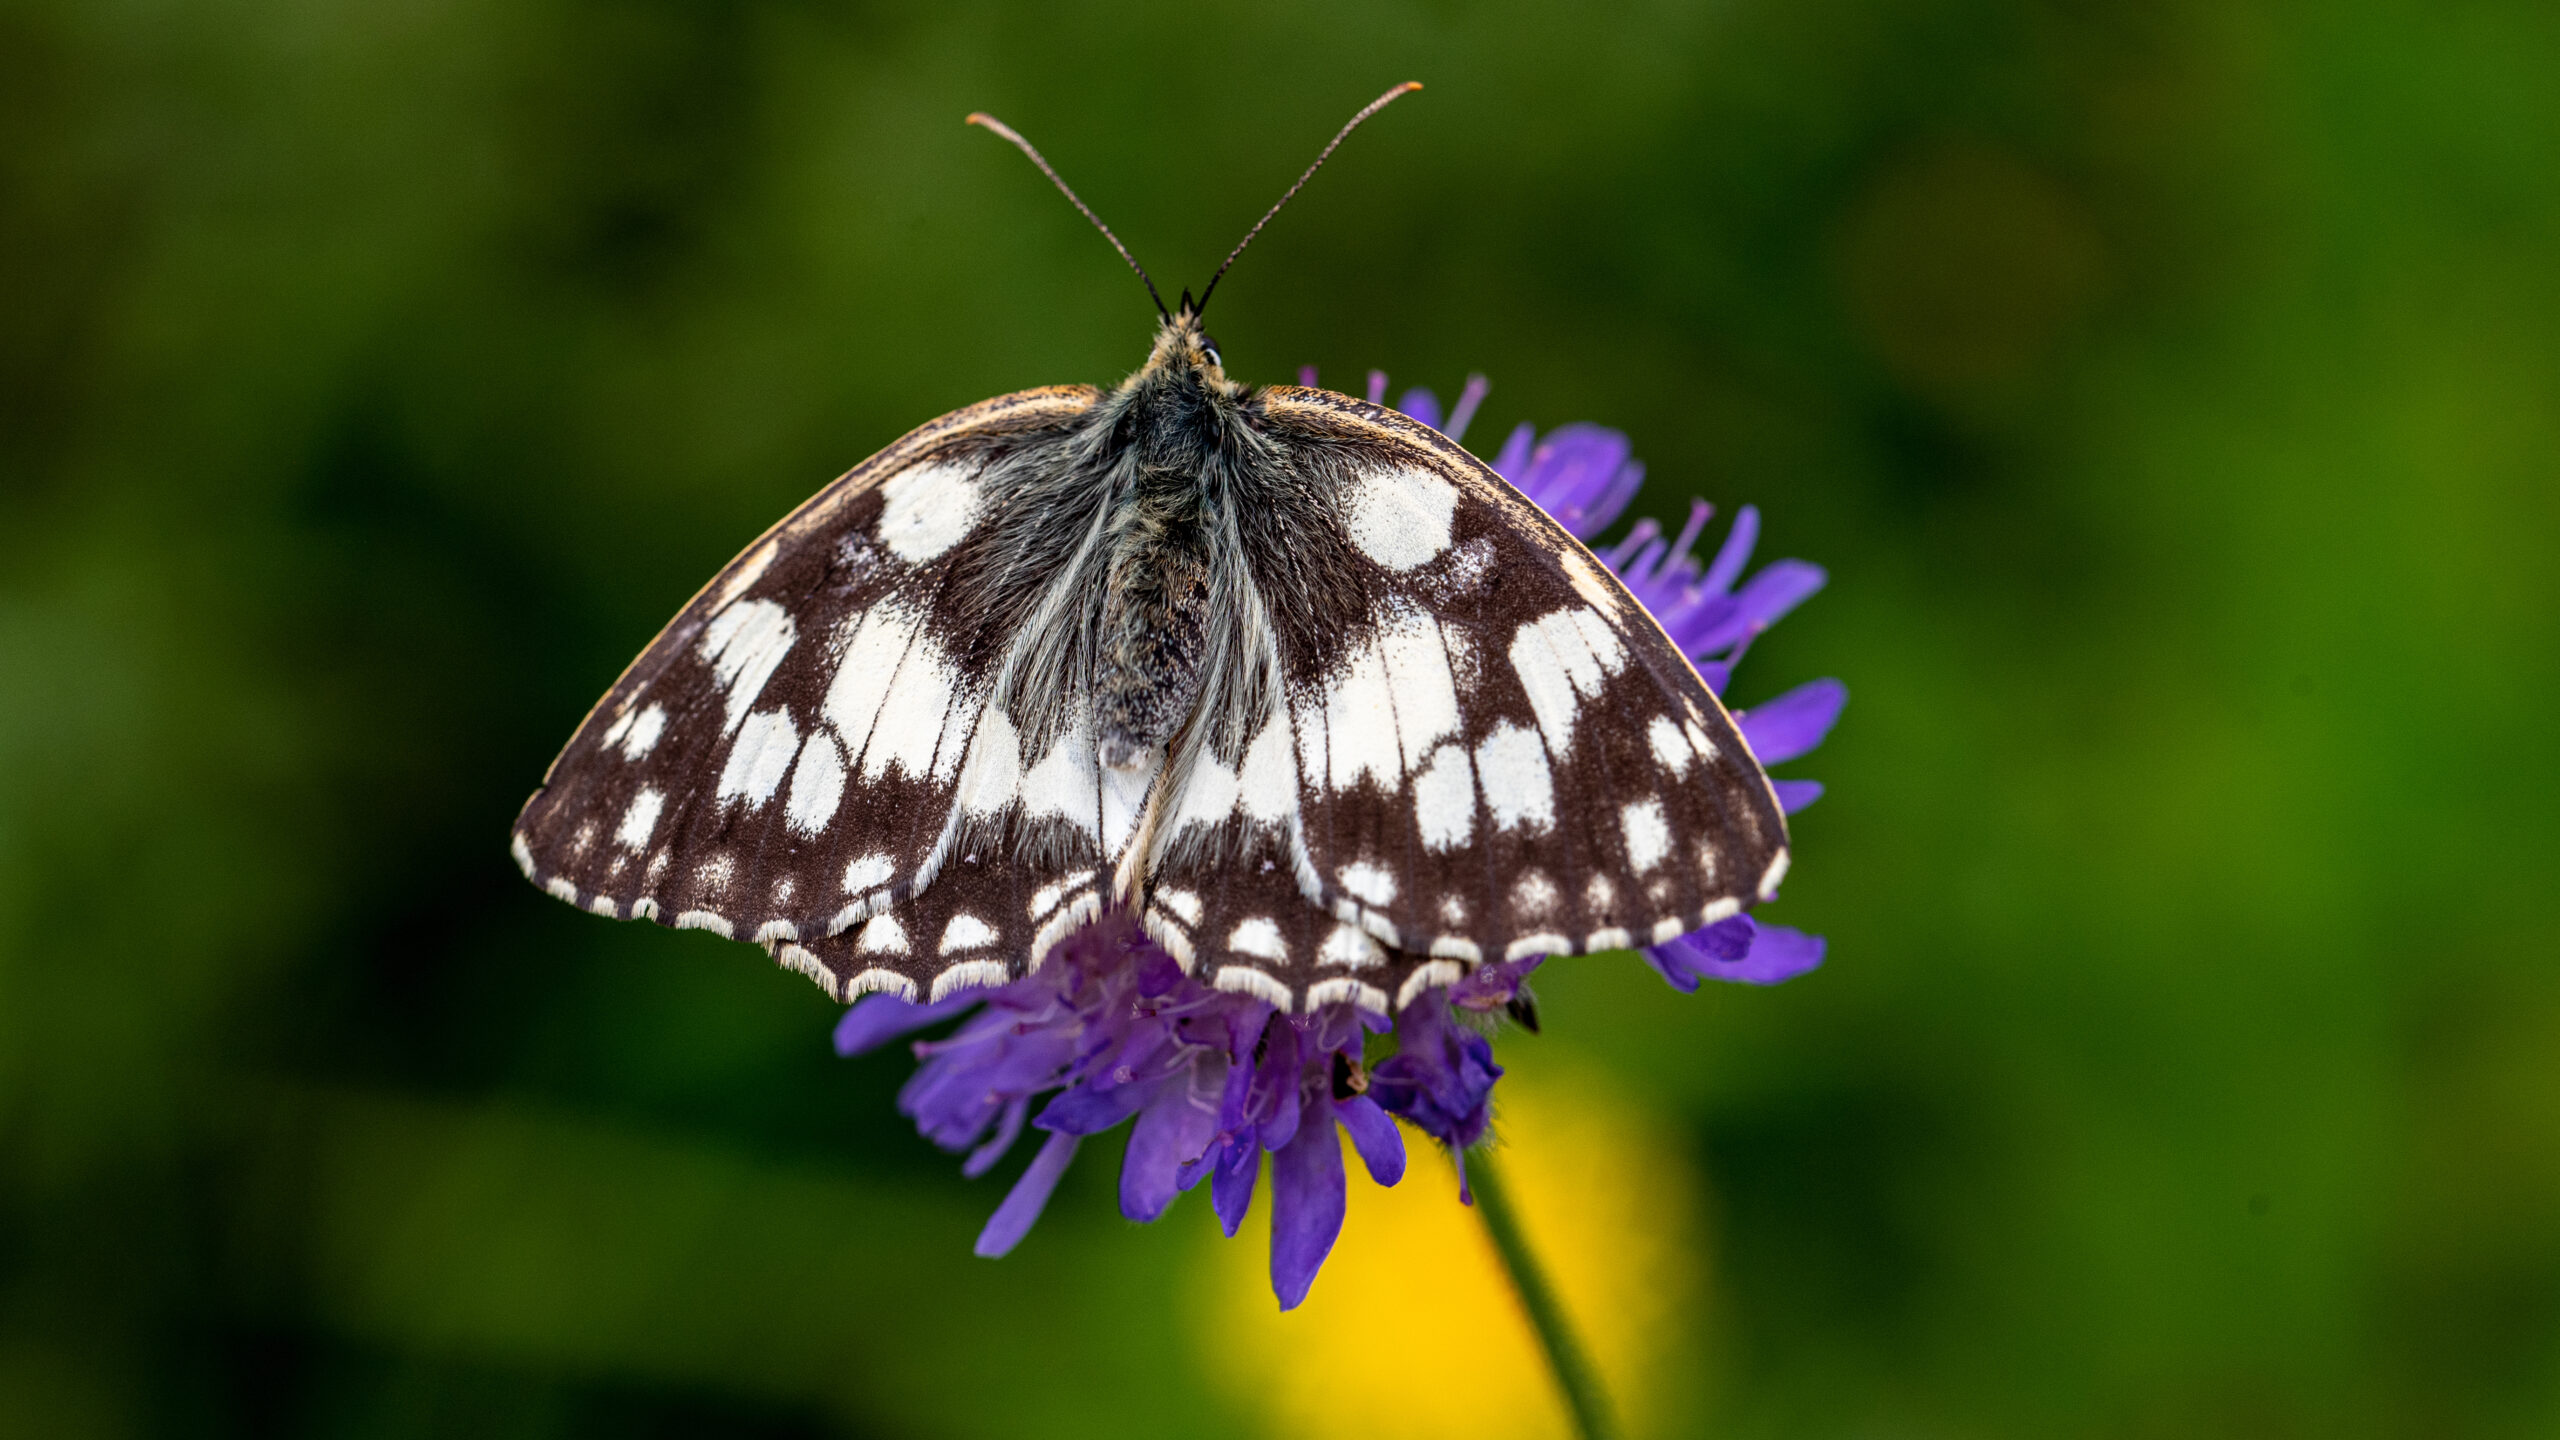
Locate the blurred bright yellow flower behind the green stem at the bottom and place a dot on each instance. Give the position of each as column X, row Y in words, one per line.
column 1414, row 1331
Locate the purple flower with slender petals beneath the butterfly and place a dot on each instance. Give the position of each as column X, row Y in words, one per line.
column 1112, row 1031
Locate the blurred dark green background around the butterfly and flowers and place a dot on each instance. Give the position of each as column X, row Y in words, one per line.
column 2172, row 391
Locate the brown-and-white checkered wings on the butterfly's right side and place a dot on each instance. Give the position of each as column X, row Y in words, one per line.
column 1484, row 747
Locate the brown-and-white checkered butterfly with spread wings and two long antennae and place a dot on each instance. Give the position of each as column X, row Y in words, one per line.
column 1284, row 675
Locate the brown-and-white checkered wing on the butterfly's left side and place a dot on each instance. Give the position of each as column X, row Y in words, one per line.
column 813, row 734
